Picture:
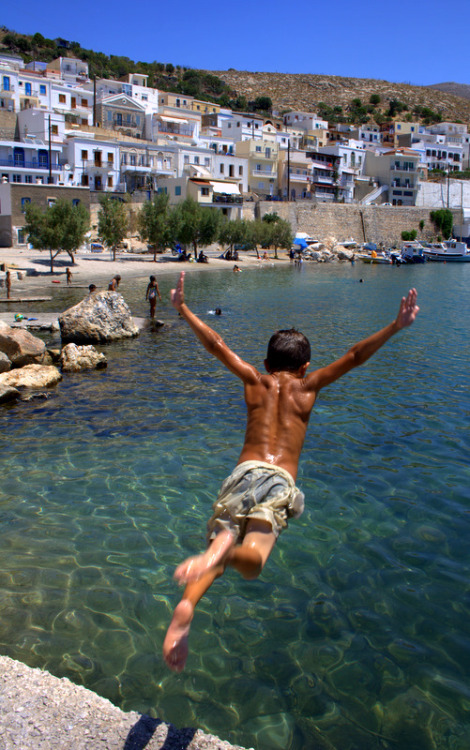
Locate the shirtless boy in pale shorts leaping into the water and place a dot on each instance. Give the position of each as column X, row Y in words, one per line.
column 260, row 495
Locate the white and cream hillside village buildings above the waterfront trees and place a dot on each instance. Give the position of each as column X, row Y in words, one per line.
column 65, row 133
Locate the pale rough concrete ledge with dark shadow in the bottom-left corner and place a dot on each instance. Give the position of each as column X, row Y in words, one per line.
column 41, row 712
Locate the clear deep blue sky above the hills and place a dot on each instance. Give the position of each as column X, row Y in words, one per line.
column 416, row 41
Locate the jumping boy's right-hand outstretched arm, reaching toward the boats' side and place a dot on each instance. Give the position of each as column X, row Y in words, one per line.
column 360, row 353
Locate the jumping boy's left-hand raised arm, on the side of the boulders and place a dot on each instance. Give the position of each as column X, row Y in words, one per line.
column 211, row 340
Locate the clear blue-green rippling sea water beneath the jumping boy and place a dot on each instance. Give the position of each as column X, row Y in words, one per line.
column 356, row 636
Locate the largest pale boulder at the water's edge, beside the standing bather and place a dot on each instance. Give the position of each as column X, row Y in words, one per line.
column 97, row 319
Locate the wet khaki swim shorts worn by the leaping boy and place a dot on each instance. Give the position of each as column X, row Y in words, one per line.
column 258, row 490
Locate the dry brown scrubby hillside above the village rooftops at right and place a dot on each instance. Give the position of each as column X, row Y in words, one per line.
column 305, row 91
